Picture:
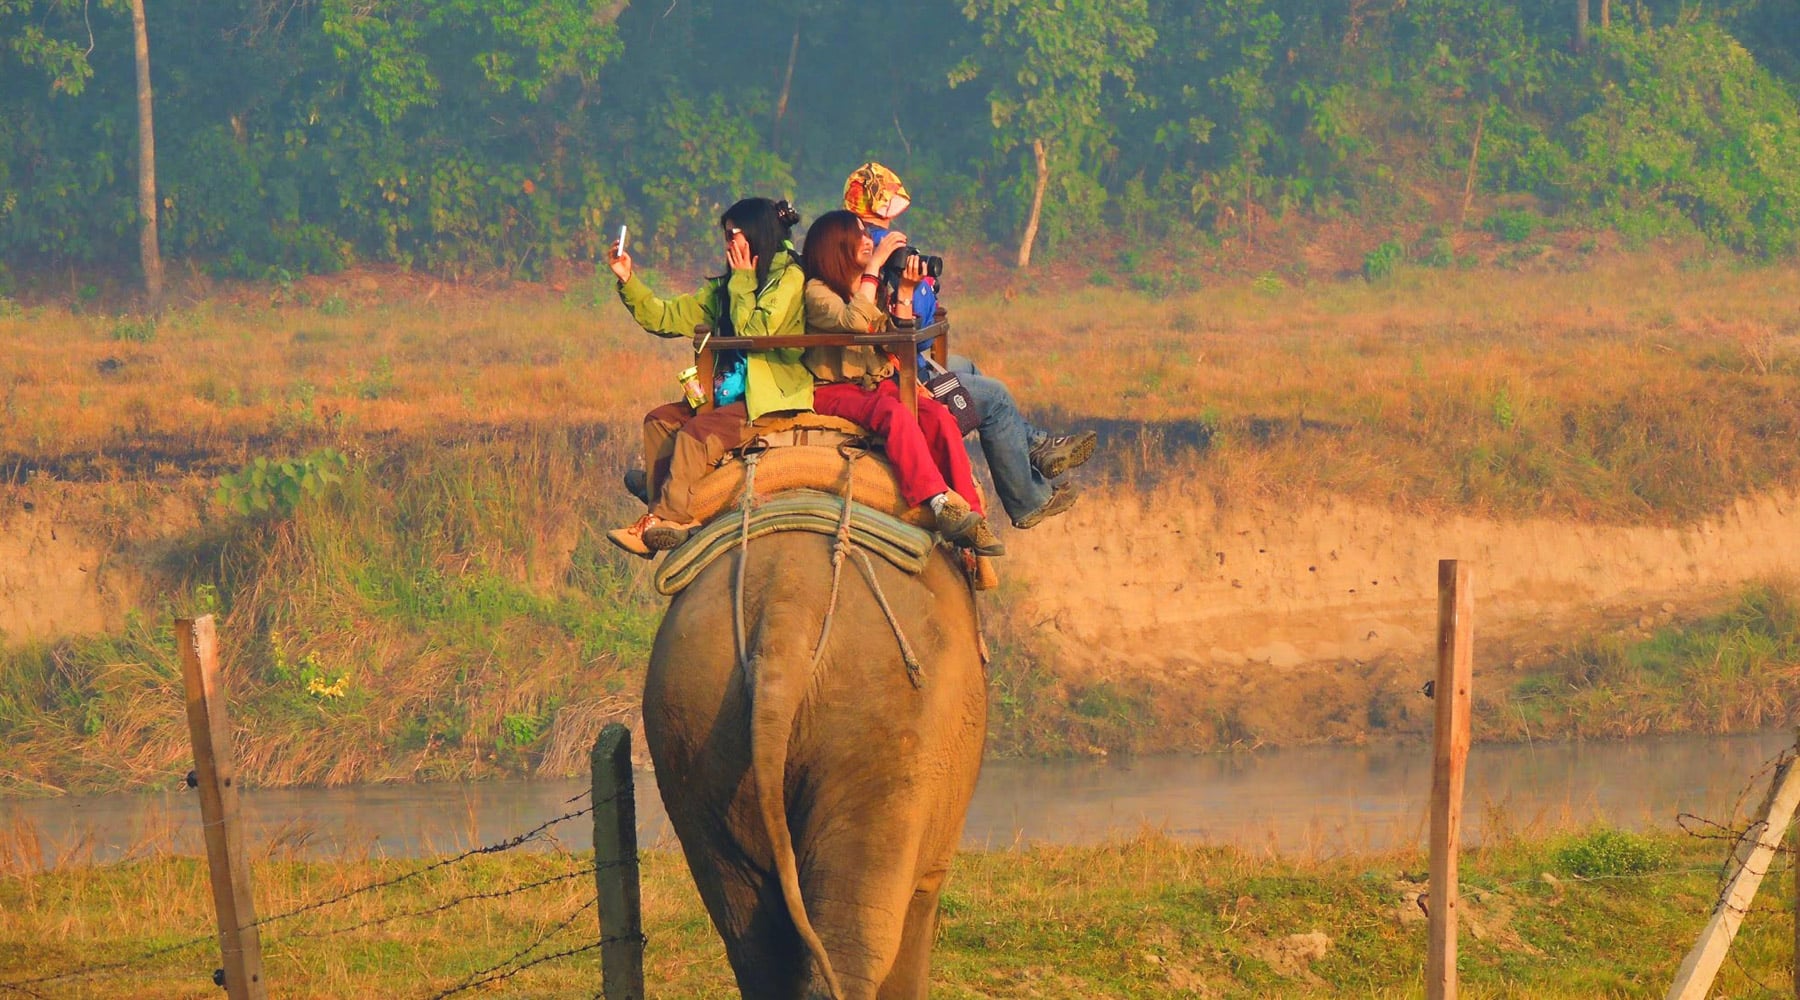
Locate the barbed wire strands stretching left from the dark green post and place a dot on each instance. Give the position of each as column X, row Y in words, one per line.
column 51, row 985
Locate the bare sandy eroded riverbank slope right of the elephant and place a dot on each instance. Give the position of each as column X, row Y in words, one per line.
column 1318, row 621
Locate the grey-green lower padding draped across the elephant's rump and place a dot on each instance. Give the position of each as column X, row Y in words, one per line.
column 904, row 546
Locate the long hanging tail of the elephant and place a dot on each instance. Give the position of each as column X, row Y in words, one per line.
column 780, row 666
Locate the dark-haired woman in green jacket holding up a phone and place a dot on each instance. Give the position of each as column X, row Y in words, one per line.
column 759, row 296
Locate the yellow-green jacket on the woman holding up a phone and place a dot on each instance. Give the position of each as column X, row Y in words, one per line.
column 775, row 380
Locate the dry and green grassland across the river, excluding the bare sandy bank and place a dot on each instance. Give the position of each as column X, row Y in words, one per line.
column 447, row 609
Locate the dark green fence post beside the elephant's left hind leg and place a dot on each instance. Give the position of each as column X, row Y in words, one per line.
column 622, row 924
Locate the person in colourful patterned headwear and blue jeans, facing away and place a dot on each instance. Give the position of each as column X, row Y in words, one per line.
column 1023, row 460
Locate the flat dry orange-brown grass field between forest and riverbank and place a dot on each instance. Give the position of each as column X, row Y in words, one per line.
column 1637, row 393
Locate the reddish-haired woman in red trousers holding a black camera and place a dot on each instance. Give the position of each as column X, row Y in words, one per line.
column 928, row 454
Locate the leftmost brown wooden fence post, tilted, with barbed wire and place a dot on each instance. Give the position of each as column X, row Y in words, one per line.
column 217, row 778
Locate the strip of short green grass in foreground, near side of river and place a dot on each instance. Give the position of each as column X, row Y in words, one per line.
column 1147, row 918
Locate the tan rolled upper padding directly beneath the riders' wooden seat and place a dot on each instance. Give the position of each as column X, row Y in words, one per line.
column 807, row 467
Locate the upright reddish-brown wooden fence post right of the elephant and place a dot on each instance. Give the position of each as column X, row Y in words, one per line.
column 1450, row 753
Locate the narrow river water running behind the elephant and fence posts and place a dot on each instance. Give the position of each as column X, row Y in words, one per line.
column 1308, row 801
